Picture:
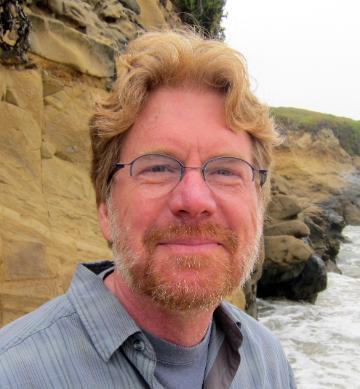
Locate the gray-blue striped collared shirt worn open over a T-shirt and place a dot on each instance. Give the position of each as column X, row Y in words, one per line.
column 86, row 339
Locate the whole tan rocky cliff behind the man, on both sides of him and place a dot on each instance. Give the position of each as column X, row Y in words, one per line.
column 47, row 207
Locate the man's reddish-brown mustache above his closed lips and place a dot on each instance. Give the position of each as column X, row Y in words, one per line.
column 222, row 235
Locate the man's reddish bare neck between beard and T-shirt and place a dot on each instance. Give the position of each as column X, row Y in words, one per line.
column 185, row 328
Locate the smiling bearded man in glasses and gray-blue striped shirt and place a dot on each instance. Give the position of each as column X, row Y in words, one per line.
column 180, row 152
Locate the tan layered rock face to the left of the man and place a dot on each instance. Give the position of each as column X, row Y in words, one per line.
column 47, row 205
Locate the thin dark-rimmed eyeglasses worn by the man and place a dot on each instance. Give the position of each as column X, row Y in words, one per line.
column 163, row 172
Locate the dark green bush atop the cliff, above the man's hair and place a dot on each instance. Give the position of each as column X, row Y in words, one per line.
column 206, row 14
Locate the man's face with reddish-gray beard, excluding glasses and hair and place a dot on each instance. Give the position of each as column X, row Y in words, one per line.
column 189, row 247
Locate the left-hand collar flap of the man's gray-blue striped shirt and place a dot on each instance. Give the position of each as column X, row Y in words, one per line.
column 106, row 321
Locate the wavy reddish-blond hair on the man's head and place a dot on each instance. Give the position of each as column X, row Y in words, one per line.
column 175, row 58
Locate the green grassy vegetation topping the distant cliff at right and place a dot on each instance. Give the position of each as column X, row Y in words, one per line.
column 346, row 130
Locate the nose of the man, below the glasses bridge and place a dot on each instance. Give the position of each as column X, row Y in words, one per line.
column 192, row 198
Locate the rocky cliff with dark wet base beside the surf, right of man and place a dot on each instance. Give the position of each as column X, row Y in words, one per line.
column 315, row 194
